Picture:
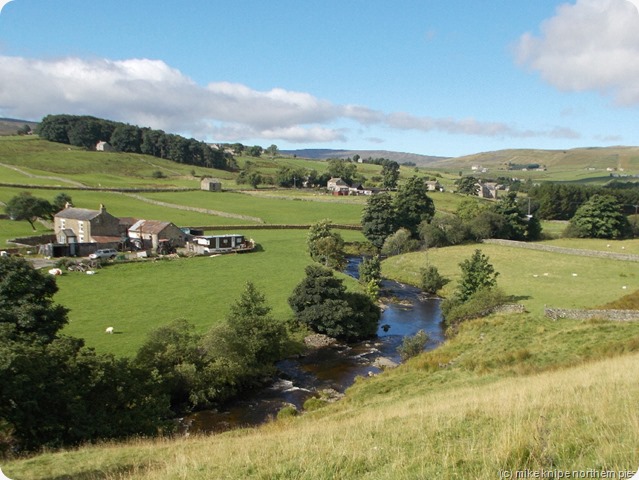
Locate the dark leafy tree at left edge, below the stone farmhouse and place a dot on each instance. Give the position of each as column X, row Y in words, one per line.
column 26, row 301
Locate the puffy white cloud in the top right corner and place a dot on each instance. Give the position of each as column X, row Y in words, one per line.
column 592, row 45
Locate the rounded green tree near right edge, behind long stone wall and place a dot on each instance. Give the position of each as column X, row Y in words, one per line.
column 600, row 217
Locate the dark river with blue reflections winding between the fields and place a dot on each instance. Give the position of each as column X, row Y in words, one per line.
column 335, row 367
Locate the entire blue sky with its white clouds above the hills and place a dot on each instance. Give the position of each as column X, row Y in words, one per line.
column 437, row 77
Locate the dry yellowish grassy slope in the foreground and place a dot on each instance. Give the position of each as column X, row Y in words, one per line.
column 508, row 393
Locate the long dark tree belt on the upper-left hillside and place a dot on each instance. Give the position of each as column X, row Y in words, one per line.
column 86, row 131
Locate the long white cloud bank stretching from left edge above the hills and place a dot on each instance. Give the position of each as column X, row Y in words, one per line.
column 151, row 93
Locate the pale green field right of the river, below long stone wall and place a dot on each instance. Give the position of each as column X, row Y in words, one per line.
column 597, row 281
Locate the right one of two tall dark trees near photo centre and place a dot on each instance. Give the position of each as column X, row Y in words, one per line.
column 413, row 205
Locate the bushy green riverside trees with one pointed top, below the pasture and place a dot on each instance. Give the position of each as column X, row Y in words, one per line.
column 198, row 370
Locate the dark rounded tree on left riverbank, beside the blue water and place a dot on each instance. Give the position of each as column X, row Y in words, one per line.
column 321, row 302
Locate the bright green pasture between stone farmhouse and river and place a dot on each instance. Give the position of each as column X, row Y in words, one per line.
column 136, row 297
